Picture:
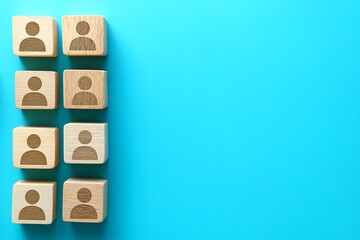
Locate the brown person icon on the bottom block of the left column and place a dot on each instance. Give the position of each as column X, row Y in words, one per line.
column 32, row 212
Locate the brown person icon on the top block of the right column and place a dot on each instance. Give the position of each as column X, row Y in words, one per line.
column 82, row 43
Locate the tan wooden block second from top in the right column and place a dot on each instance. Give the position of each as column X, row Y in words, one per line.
column 85, row 89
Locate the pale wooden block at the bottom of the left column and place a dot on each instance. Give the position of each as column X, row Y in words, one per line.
column 34, row 202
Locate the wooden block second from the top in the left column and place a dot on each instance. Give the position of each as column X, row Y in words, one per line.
column 36, row 90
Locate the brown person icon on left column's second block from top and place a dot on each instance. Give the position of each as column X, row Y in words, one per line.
column 34, row 98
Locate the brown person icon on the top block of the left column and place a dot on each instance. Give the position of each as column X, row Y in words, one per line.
column 32, row 44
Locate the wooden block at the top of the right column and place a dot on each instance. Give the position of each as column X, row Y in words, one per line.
column 84, row 35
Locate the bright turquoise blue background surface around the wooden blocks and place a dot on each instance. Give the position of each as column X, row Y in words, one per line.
column 228, row 119
